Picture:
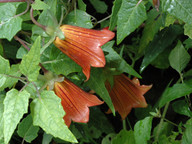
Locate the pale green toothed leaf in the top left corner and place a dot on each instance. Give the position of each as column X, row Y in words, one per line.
column 9, row 23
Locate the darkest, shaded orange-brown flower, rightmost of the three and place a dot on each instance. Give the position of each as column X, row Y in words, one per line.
column 127, row 94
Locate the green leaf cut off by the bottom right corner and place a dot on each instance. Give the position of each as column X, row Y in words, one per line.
column 186, row 139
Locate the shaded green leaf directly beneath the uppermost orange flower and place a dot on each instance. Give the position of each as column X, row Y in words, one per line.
column 61, row 63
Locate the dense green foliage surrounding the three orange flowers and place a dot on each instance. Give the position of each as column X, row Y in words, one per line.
column 153, row 43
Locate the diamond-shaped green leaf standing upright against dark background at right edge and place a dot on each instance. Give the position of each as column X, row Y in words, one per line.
column 179, row 57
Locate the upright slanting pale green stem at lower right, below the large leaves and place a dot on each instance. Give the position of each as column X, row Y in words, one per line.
column 161, row 122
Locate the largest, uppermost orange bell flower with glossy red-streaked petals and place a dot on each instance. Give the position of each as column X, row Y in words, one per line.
column 83, row 46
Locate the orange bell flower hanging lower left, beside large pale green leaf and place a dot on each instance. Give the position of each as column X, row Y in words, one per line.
column 75, row 101
